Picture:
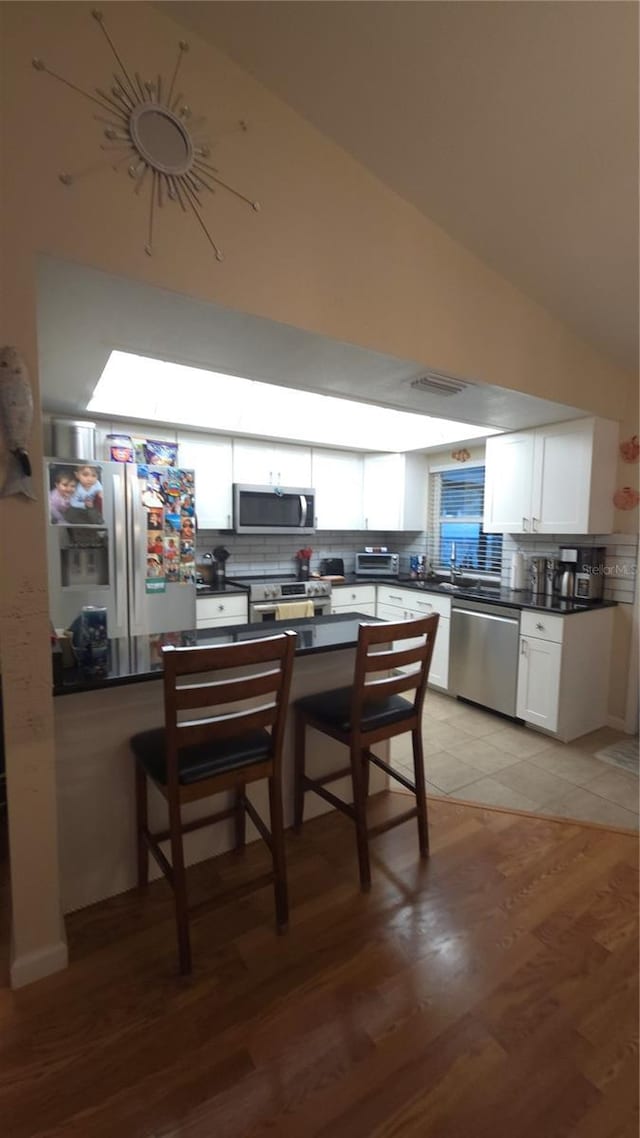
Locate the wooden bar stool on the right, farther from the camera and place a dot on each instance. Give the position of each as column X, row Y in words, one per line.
column 367, row 713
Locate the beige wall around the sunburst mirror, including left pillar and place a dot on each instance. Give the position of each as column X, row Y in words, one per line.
column 333, row 251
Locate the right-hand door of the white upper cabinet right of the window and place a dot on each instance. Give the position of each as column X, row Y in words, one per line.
column 562, row 479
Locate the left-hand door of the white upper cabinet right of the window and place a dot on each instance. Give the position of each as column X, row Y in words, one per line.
column 508, row 483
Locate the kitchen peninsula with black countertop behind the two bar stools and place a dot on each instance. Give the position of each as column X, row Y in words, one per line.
column 96, row 716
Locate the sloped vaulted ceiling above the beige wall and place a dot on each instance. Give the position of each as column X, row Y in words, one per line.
column 513, row 126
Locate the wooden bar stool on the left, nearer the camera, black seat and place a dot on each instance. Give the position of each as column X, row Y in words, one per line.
column 227, row 747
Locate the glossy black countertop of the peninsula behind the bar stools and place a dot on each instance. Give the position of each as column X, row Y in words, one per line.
column 140, row 658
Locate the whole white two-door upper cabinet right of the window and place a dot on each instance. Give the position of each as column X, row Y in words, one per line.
column 556, row 480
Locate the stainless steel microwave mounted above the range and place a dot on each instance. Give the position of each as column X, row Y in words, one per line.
column 274, row 509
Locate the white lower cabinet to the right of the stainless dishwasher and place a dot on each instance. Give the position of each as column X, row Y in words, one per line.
column 563, row 672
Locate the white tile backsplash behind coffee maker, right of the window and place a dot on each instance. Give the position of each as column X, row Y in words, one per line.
column 621, row 562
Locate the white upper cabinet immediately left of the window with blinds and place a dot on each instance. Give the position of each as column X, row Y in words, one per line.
column 396, row 492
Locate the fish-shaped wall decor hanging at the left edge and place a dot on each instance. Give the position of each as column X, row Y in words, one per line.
column 17, row 417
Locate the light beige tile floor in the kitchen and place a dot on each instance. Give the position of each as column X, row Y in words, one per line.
column 479, row 757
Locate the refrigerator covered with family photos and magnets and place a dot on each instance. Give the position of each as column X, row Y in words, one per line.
column 121, row 537
